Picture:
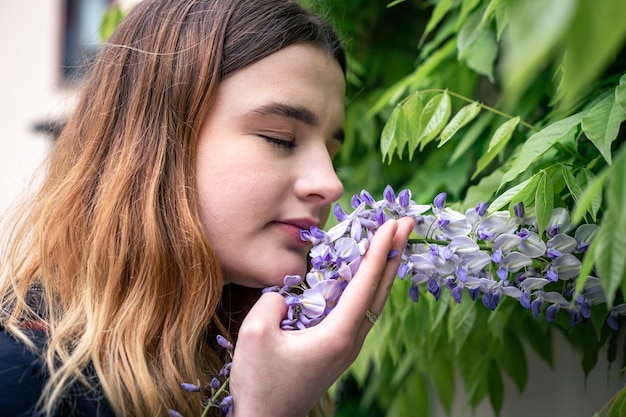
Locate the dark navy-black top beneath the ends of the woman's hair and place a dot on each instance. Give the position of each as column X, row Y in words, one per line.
column 22, row 376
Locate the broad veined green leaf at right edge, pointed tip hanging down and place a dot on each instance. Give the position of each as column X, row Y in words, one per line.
column 601, row 124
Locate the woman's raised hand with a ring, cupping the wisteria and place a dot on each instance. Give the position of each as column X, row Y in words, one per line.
column 279, row 372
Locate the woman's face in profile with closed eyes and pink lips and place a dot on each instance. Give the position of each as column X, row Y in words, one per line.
column 264, row 162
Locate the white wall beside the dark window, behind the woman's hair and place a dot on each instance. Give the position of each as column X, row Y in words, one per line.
column 31, row 90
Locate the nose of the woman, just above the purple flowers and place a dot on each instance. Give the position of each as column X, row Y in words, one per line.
column 317, row 180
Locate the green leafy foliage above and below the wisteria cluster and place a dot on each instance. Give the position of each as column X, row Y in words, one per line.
column 488, row 100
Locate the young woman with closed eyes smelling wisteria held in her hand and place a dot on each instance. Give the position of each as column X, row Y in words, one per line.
column 200, row 146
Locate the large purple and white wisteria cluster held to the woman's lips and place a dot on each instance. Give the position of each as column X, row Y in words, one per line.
column 486, row 255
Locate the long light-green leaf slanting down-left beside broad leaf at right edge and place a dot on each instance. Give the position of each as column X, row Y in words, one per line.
column 540, row 142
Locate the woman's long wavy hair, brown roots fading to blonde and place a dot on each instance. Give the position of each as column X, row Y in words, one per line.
column 110, row 253
